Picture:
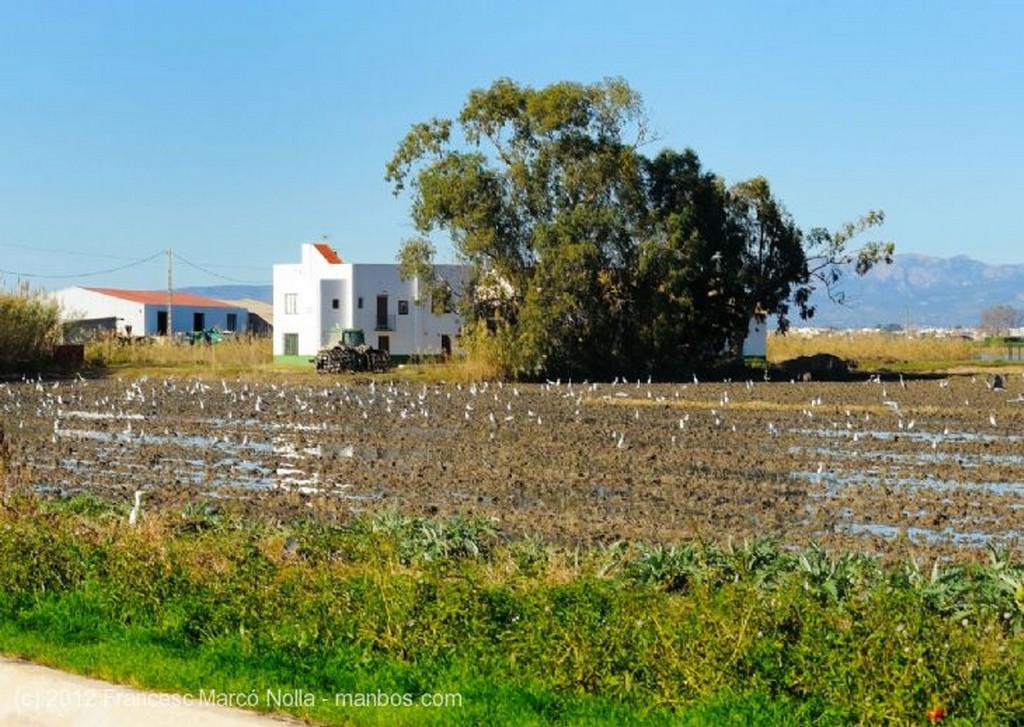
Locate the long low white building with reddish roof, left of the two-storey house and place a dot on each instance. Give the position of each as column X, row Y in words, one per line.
column 134, row 313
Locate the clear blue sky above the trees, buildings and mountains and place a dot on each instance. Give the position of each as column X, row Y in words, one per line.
column 234, row 132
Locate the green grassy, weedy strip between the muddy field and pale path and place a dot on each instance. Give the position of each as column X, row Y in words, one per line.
column 390, row 620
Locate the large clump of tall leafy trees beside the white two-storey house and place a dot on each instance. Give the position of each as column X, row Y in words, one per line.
column 590, row 260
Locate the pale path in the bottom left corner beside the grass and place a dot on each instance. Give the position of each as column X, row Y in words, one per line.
column 38, row 697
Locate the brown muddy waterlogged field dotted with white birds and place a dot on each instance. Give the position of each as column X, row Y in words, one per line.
column 918, row 467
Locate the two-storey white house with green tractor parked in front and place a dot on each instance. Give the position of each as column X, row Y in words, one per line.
column 318, row 298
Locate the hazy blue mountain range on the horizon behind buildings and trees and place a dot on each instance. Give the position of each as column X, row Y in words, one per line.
column 917, row 291
